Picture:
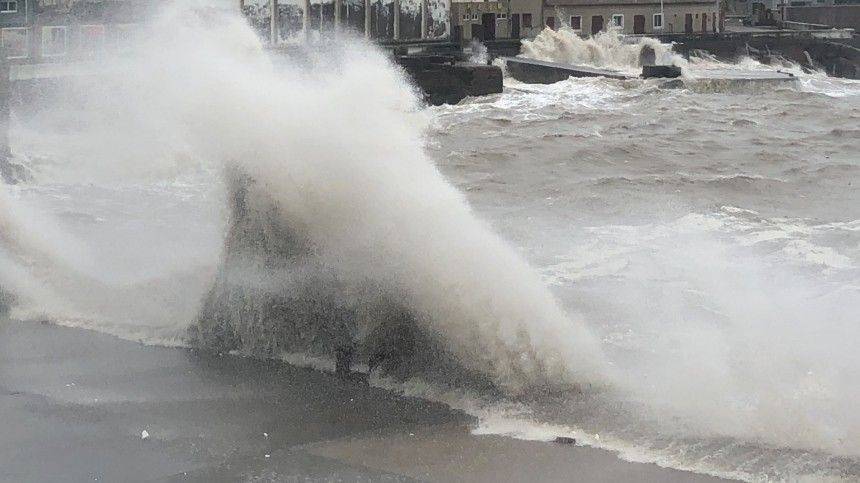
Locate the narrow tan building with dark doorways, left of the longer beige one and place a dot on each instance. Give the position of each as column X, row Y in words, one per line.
column 495, row 19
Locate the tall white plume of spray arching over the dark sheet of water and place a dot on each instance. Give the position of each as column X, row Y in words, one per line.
column 354, row 185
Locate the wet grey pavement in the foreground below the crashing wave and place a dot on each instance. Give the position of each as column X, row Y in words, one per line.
column 73, row 405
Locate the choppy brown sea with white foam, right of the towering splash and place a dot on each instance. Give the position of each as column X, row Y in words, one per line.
column 710, row 239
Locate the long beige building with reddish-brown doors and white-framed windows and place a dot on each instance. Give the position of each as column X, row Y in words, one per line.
column 651, row 17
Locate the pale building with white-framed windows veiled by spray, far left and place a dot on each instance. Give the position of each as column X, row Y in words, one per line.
column 58, row 30
